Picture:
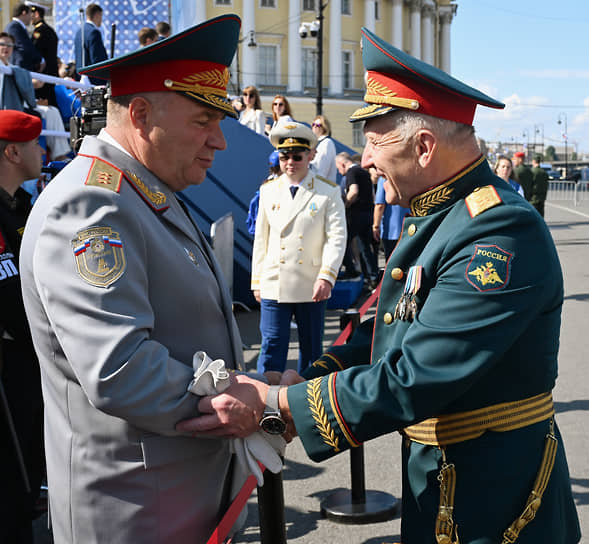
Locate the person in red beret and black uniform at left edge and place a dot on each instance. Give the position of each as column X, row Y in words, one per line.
column 21, row 403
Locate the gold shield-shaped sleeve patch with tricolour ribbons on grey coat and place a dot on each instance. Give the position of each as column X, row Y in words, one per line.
column 99, row 255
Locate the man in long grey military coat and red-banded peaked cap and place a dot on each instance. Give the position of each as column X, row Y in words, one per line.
column 121, row 289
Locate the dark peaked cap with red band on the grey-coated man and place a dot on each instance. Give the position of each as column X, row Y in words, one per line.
column 193, row 63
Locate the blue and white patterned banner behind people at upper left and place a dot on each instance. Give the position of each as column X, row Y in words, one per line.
column 130, row 16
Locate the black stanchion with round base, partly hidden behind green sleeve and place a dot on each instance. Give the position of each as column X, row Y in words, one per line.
column 358, row 506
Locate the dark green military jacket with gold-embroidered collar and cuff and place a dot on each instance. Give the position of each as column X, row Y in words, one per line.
column 484, row 330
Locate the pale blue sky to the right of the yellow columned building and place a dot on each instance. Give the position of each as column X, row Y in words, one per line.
column 533, row 55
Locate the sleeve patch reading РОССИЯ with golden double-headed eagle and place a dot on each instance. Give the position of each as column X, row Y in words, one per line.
column 489, row 268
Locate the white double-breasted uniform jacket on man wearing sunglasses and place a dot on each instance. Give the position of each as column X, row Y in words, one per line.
column 298, row 240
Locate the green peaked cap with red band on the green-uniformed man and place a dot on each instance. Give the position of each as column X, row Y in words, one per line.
column 396, row 80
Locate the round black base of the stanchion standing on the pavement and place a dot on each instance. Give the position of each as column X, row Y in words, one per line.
column 377, row 506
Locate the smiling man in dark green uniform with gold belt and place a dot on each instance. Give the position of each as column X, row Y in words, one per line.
column 463, row 348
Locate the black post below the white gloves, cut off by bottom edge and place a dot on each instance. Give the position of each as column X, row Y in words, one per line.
column 271, row 509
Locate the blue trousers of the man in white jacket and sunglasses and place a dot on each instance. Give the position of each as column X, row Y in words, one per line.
column 275, row 329
